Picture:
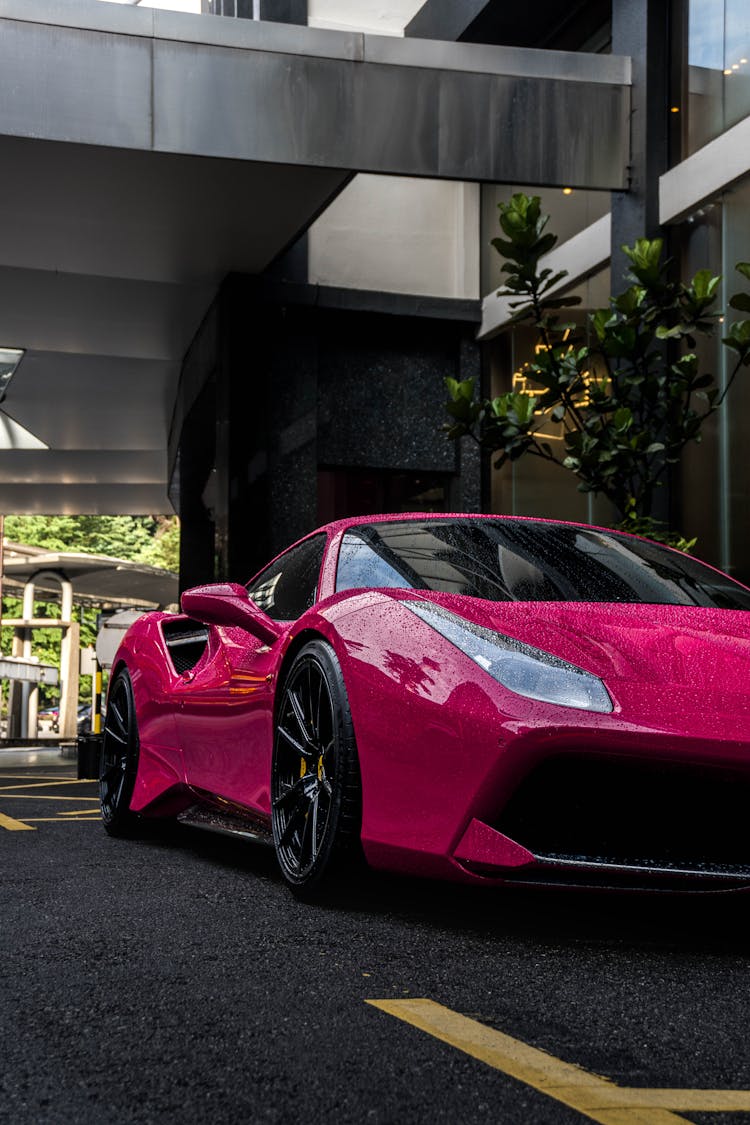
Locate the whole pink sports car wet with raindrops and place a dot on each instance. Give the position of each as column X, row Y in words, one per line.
column 474, row 698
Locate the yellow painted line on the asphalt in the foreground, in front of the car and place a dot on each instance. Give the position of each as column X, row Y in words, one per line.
column 598, row 1099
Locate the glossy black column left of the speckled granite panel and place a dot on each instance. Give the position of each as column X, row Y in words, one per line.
column 267, row 428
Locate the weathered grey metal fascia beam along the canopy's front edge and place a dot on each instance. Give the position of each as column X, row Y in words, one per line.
column 270, row 93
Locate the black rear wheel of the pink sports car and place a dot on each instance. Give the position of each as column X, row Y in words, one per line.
column 120, row 760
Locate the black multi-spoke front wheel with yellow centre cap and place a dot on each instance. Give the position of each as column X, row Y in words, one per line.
column 315, row 778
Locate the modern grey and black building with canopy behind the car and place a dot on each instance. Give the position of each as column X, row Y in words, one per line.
column 241, row 249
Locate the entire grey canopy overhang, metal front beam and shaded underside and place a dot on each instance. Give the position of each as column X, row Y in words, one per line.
column 149, row 154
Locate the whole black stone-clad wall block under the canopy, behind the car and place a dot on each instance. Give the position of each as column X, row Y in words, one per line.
column 290, row 388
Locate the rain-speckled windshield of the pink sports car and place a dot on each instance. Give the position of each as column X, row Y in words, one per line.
column 528, row 561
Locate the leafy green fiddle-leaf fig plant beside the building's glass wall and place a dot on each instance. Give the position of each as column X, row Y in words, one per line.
column 630, row 394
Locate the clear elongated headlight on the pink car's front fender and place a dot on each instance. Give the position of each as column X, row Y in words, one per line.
column 519, row 668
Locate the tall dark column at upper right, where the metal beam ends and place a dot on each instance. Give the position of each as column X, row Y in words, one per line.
column 640, row 29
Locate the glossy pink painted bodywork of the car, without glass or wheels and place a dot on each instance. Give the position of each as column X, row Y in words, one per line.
column 441, row 744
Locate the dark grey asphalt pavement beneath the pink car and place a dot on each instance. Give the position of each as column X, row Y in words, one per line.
column 177, row 980
